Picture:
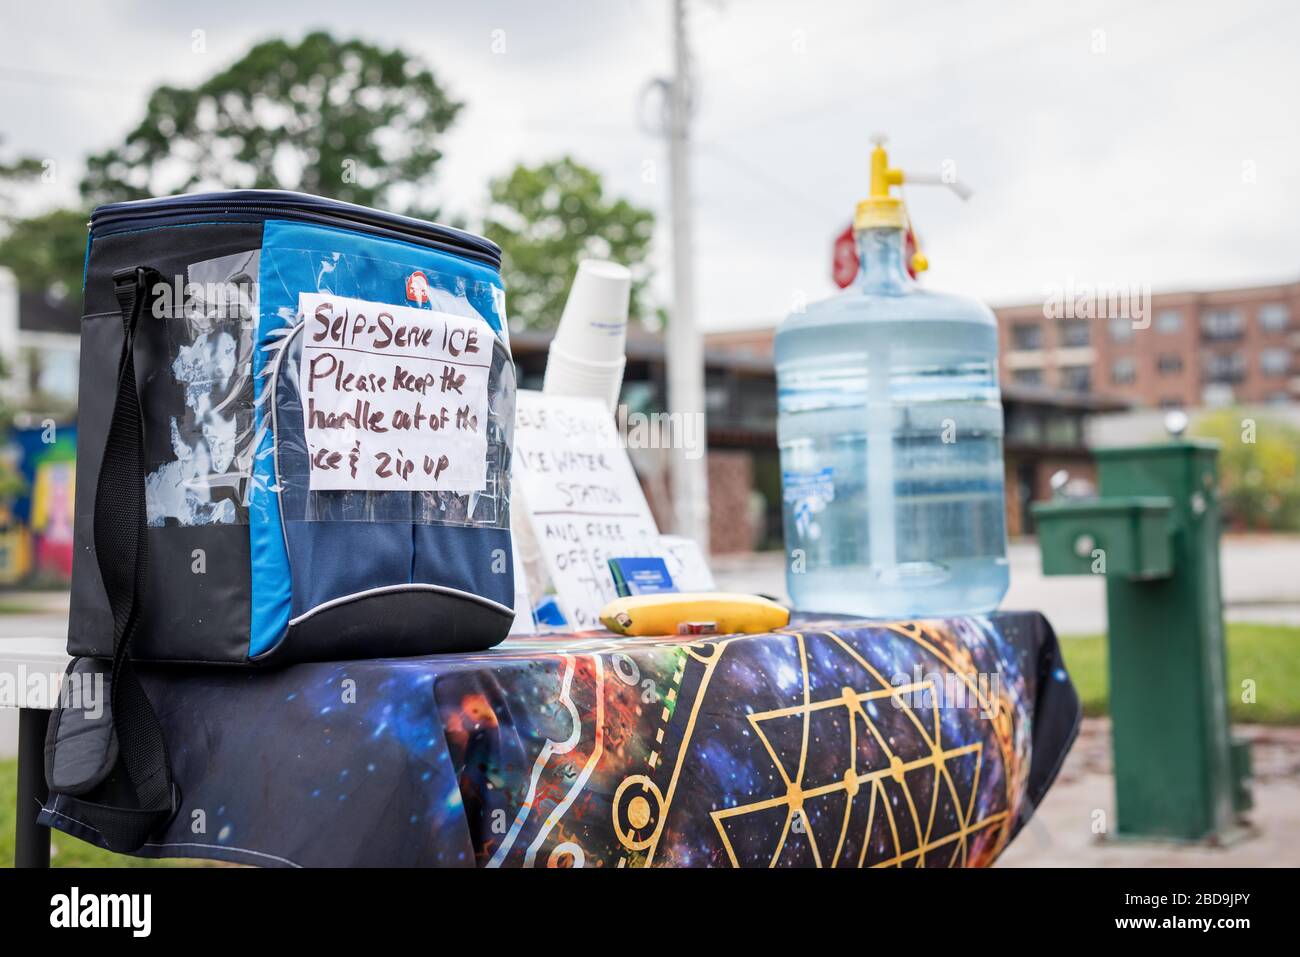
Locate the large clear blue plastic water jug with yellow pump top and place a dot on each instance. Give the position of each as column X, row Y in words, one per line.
column 891, row 435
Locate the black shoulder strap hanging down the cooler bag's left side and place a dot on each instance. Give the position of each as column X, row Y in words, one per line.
column 122, row 548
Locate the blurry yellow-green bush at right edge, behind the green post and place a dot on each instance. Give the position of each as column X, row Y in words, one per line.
column 1259, row 469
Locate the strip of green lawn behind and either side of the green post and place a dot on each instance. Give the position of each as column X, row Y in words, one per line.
column 1267, row 655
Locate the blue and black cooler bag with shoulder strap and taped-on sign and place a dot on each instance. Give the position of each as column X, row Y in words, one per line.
column 293, row 444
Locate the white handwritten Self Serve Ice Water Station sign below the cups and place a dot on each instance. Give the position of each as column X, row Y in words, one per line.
column 584, row 501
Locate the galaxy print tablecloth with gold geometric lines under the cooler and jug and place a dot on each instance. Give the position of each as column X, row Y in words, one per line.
column 834, row 744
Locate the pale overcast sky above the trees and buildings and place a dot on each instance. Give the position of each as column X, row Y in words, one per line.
column 1106, row 142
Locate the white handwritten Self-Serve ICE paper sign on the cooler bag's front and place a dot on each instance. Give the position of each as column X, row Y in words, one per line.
column 395, row 399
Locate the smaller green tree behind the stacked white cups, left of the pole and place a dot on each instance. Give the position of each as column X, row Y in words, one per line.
column 547, row 219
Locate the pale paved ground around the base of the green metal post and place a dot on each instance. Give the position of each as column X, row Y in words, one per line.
column 1061, row 833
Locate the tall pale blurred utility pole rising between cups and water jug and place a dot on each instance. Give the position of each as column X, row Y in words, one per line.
column 686, row 354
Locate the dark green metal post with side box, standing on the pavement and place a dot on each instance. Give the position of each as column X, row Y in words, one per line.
column 1155, row 534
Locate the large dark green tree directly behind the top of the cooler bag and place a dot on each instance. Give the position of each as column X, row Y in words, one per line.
column 340, row 119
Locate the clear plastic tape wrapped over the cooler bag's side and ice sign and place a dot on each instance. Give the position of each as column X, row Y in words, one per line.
column 239, row 426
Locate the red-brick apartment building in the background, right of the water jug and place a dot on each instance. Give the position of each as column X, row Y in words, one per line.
column 1199, row 349
